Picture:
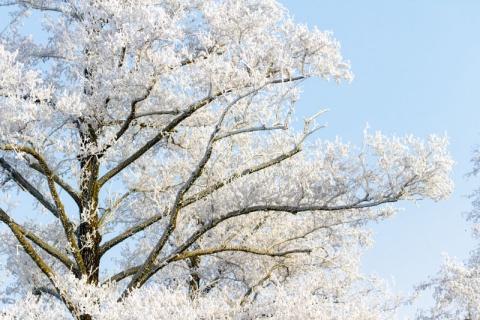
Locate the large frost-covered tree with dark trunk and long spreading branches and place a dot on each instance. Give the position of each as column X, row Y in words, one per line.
column 160, row 134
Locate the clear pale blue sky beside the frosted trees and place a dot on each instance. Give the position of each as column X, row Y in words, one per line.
column 416, row 65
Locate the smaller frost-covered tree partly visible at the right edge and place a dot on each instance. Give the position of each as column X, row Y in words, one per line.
column 456, row 287
